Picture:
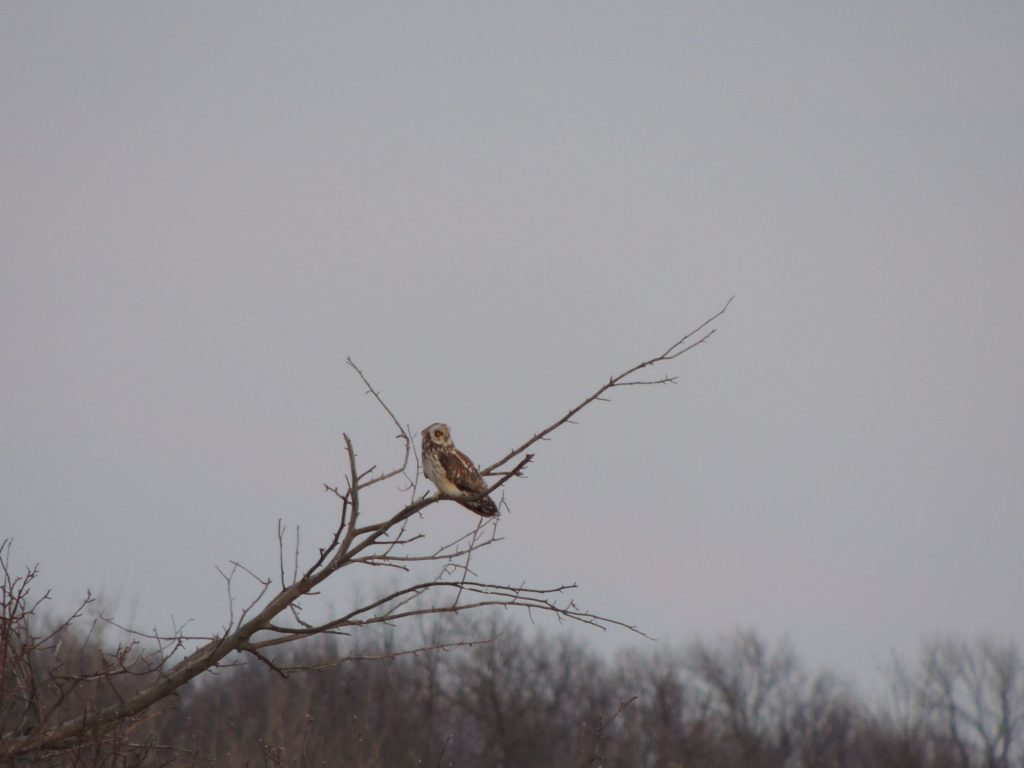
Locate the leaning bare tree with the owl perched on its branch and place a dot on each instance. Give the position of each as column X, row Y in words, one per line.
column 42, row 710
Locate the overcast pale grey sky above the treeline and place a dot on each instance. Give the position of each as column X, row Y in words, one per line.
column 204, row 208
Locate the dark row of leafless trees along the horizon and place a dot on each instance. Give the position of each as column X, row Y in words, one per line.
column 531, row 699
